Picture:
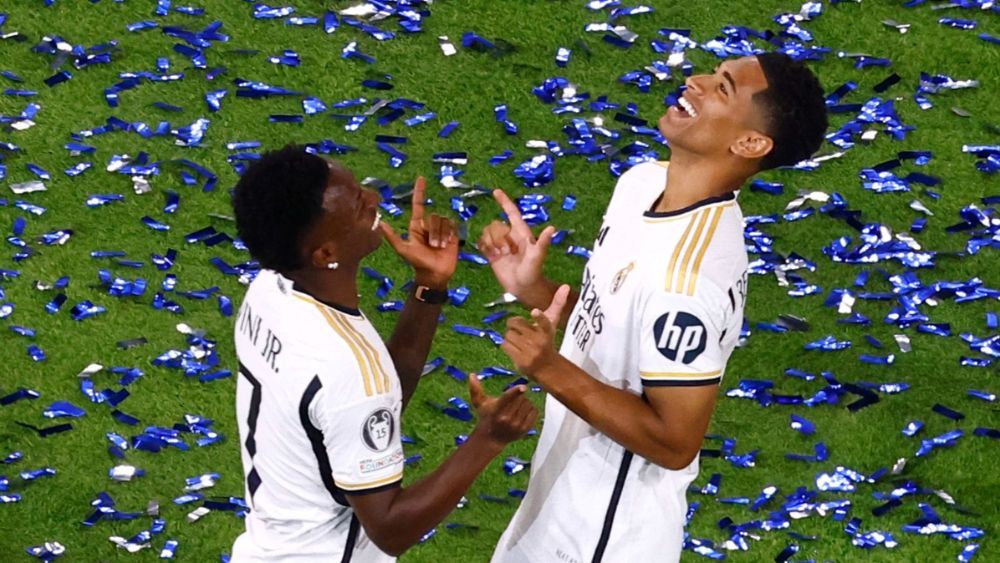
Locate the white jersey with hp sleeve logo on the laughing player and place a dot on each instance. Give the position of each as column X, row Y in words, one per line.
column 661, row 304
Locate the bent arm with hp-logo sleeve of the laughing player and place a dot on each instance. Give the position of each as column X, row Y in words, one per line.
column 666, row 427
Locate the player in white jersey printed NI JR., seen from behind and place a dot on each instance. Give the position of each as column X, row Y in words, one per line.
column 319, row 395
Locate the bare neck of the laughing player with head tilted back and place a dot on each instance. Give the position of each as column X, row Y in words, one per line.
column 691, row 179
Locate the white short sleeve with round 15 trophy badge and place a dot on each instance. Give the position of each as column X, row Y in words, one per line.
column 361, row 440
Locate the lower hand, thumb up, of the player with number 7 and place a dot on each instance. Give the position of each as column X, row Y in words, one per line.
column 505, row 418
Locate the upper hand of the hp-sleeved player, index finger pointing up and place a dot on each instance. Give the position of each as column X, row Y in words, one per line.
column 514, row 253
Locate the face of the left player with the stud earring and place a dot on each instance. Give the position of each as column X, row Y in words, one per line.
column 347, row 231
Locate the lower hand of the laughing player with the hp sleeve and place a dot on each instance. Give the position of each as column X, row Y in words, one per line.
column 531, row 344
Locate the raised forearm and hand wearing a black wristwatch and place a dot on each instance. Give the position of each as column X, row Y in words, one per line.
column 432, row 250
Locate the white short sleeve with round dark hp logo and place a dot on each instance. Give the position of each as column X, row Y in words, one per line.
column 681, row 339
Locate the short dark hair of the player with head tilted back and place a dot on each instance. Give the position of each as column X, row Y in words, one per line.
column 794, row 107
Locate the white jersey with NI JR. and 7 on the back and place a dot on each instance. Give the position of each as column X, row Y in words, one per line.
column 318, row 404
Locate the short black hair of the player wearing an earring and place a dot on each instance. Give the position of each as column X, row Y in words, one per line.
column 276, row 201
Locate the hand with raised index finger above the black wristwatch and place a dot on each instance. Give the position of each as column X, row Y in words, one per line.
column 432, row 245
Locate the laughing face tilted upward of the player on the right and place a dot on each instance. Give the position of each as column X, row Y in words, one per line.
column 716, row 116
